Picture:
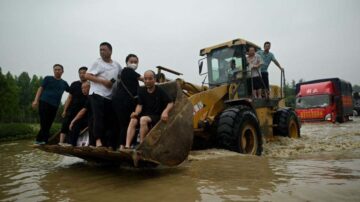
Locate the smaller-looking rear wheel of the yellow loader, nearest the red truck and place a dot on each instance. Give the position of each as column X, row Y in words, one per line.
column 287, row 123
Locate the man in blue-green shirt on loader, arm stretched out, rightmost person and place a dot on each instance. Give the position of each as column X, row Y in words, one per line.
column 267, row 57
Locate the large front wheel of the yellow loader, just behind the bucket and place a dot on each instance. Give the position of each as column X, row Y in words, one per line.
column 238, row 130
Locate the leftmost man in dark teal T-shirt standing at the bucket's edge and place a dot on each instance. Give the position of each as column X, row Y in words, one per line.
column 48, row 98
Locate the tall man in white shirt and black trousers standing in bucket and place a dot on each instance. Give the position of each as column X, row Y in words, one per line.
column 102, row 75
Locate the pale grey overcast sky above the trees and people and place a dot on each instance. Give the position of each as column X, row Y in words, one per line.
column 311, row 39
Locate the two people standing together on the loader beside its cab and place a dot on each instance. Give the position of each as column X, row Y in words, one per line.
column 258, row 64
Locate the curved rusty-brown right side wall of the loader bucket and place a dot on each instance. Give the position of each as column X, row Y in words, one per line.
column 170, row 143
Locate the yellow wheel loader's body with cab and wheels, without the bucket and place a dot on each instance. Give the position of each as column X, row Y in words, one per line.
column 225, row 114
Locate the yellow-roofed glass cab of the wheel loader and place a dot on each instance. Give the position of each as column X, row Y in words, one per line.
column 226, row 65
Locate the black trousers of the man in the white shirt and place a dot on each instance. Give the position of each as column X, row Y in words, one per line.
column 102, row 119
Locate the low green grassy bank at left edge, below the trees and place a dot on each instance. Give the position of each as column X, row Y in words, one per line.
column 17, row 131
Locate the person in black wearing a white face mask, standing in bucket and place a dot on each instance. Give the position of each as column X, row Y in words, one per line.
column 124, row 98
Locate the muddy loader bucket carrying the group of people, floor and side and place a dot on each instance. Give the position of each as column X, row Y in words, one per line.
column 166, row 143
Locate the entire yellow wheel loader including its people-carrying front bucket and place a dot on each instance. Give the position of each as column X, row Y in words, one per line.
column 221, row 113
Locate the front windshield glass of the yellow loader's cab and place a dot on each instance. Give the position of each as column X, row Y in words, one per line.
column 222, row 63
